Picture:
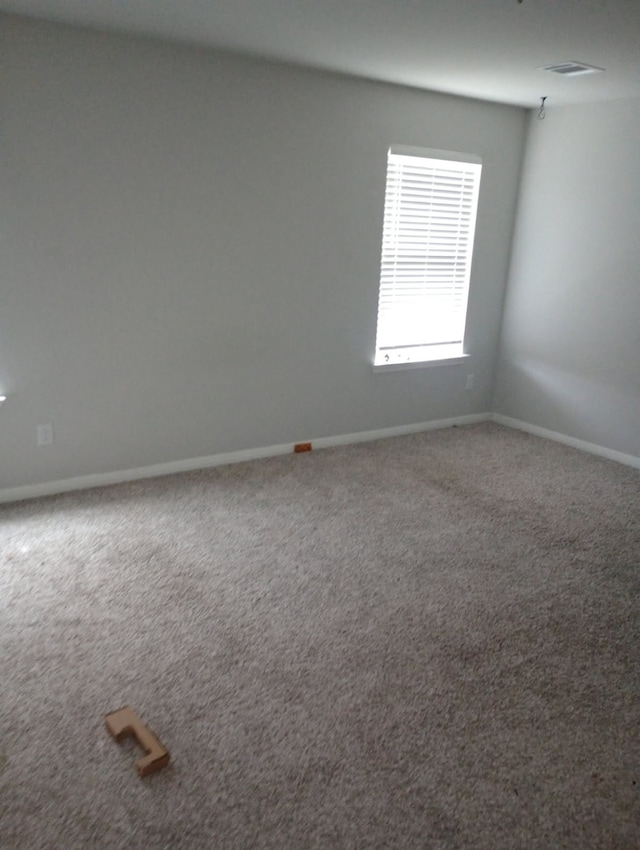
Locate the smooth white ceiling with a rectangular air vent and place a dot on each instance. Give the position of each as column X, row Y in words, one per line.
column 489, row 49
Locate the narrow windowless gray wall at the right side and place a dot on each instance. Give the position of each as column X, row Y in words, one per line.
column 570, row 355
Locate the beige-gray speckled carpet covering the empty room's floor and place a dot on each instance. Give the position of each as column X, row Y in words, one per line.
column 425, row 642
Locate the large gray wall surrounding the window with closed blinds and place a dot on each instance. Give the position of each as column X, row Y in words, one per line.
column 190, row 249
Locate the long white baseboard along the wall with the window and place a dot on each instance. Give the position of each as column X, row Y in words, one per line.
column 101, row 479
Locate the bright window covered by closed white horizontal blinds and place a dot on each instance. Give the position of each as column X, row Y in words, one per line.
column 427, row 242
